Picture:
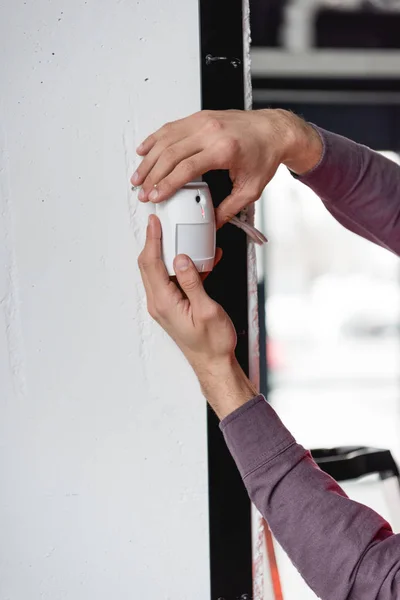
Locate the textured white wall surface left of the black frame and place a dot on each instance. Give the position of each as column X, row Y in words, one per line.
column 103, row 477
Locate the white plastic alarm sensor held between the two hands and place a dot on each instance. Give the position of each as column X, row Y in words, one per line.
column 188, row 226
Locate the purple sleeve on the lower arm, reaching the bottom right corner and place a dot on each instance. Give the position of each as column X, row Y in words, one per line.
column 343, row 550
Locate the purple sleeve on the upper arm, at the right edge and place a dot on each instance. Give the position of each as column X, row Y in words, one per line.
column 360, row 188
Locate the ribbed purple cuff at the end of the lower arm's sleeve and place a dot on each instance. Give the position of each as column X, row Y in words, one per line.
column 255, row 435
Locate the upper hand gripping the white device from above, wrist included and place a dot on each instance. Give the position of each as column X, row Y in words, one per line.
column 250, row 144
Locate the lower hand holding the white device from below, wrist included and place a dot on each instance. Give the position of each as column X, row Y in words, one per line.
column 199, row 326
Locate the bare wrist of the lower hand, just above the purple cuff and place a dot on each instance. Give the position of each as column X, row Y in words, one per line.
column 225, row 386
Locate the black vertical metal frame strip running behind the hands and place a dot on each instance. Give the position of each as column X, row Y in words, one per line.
column 229, row 505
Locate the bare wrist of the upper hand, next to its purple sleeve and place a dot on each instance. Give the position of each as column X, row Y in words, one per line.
column 302, row 144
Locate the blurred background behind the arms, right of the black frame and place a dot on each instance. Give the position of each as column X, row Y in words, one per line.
column 331, row 325
